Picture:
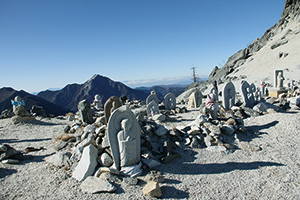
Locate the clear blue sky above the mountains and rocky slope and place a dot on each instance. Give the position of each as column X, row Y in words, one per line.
column 49, row 44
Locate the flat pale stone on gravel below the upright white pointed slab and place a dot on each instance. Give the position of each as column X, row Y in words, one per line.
column 93, row 185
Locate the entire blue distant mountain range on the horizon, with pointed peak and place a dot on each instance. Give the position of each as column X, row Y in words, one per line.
column 63, row 100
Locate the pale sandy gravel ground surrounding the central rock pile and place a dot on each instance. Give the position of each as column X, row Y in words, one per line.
column 263, row 165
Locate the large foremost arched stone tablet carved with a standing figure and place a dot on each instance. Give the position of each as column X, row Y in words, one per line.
column 124, row 134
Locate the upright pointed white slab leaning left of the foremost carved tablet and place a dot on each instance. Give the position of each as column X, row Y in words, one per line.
column 87, row 163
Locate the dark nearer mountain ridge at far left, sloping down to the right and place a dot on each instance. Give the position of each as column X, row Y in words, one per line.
column 7, row 94
